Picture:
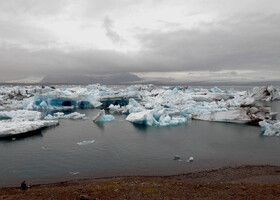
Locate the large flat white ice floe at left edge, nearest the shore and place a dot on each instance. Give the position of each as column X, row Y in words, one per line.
column 9, row 128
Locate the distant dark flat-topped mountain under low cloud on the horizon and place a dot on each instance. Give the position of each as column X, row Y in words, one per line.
column 120, row 78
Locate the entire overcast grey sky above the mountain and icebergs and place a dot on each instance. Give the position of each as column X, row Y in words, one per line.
column 215, row 40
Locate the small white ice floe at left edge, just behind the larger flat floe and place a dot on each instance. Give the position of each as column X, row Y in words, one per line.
column 21, row 115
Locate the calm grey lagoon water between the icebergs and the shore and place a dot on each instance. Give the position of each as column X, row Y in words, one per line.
column 121, row 148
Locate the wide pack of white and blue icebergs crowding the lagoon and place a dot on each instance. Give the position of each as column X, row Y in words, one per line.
column 143, row 104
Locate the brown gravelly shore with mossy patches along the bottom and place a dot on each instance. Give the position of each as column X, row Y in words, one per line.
column 250, row 179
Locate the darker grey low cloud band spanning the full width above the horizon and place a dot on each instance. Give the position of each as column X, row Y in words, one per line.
column 246, row 43
